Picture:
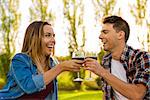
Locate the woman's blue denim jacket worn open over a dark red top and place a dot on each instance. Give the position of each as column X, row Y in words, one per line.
column 23, row 78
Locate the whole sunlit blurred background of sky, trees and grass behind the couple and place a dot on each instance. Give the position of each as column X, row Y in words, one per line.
column 77, row 25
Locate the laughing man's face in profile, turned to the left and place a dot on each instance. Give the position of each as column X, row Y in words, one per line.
column 108, row 37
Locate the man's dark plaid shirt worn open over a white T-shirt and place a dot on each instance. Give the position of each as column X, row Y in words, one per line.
column 137, row 66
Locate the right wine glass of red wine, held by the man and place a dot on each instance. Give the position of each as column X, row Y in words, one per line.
column 93, row 56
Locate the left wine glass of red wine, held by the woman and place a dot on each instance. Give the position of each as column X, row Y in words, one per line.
column 78, row 55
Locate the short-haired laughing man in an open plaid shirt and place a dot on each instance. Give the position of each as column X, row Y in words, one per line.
column 125, row 71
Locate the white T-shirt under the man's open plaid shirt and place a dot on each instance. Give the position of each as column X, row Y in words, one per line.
column 118, row 70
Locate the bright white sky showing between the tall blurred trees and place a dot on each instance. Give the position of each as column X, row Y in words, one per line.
column 92, row 31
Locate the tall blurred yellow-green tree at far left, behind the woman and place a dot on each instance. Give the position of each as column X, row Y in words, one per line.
column 9, row 25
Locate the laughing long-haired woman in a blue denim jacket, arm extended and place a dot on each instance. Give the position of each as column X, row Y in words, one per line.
column 33, row 72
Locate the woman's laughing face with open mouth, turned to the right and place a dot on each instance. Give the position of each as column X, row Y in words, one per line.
column 48, row 40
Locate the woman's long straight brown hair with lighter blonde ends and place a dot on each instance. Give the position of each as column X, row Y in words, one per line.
column 33, row 43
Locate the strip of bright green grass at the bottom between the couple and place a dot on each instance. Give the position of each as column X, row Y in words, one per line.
column 80, row 95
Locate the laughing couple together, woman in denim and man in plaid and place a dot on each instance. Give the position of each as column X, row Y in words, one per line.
column 125, row 71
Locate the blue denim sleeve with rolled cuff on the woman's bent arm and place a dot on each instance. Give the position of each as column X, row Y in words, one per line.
column 28, row 82
